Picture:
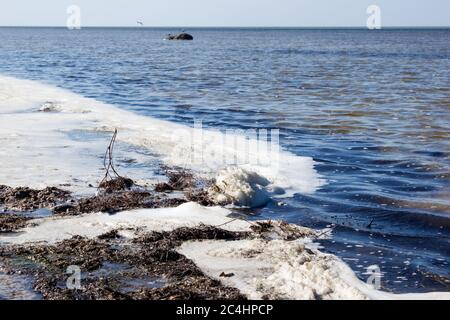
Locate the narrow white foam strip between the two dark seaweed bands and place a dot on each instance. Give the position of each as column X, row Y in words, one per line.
column 54, row 229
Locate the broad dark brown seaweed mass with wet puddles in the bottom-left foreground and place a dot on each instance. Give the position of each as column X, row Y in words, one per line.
column 147, row 267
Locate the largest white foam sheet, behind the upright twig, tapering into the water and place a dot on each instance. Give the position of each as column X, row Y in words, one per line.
column 36, row 150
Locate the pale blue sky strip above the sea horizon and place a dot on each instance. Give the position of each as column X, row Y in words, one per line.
column 189, row 13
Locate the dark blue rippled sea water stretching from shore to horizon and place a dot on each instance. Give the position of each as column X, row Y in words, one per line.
column 371, row 107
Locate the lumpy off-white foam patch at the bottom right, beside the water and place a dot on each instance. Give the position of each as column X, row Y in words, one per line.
column 285, row 270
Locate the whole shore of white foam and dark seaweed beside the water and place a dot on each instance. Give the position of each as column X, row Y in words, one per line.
column 54, row 140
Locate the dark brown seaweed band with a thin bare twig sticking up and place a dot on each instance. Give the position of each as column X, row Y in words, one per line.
column 118, row 193
